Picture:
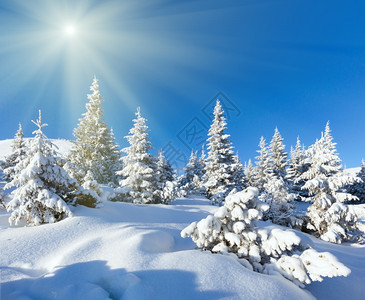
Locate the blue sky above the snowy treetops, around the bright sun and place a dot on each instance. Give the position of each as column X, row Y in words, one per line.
column 290, row 64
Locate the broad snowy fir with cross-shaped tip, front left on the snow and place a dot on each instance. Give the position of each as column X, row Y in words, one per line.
column 43, row 187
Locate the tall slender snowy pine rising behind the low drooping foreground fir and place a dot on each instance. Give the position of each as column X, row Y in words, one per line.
column 218, row 175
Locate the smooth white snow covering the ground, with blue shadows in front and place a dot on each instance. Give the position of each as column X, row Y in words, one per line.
column 126, row 251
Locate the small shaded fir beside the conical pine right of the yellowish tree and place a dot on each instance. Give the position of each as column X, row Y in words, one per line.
column 166, row 179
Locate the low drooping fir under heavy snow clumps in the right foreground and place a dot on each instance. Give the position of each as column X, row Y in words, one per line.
column 233, row 229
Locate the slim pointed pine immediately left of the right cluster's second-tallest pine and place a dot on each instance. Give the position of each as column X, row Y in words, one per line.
column 263, row 169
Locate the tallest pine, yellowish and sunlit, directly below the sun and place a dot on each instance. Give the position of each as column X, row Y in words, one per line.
column 95, row 149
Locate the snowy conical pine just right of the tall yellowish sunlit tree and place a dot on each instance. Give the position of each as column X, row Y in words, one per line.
column 140, row 181
